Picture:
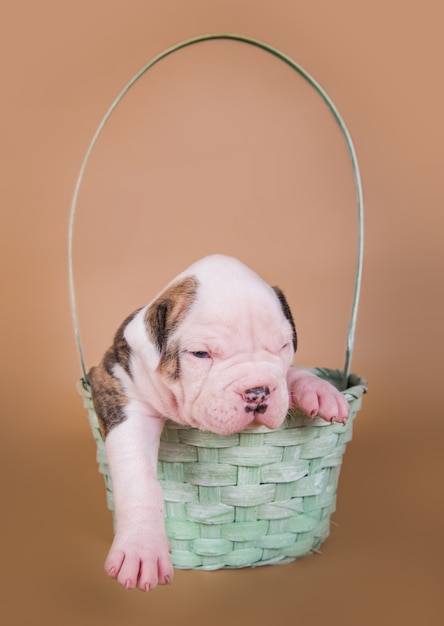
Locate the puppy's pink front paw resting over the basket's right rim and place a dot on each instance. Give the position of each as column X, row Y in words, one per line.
column 316, row 397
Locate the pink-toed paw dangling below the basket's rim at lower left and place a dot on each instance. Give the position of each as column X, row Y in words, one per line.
column 140, row 560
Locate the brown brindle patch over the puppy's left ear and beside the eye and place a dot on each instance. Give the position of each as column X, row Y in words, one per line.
column 164, row 315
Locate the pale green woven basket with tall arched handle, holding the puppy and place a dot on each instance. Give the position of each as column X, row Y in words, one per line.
column 258, row 497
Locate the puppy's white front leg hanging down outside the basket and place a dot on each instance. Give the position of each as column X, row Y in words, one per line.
column 139, row 555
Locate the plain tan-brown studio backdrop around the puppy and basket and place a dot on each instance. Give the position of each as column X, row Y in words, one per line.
column 223, row 148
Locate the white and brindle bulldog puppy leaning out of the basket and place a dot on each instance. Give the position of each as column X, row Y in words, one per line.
column 214, row 351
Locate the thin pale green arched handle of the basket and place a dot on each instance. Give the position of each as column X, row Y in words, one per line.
column 351, row 151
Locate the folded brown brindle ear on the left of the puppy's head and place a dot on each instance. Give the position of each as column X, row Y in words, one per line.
column 168, row 310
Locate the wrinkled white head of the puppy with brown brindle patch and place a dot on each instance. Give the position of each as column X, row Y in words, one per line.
column 226, row 340
